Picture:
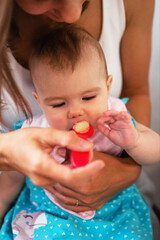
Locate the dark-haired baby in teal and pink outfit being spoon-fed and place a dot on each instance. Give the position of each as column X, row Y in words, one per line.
column 71, row 82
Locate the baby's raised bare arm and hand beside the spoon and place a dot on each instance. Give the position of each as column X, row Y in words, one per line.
column 141, row 143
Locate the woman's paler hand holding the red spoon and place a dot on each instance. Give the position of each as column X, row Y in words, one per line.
column 28, row 151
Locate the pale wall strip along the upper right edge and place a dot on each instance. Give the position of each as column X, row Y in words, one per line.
column 155, row 70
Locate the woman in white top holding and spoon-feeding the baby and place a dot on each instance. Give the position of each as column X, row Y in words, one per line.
column 124, row 31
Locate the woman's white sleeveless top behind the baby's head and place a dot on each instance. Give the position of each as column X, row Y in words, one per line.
column 112, row 30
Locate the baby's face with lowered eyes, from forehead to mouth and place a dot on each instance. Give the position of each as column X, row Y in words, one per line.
column 68, row 97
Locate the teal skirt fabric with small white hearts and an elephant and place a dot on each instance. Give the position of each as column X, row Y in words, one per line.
column 126, row 216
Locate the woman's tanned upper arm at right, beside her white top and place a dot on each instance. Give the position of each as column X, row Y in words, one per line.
column 135, row 57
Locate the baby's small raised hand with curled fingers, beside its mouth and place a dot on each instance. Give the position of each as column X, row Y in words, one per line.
column 118, row 127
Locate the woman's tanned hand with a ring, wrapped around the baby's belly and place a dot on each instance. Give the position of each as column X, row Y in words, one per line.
column 94, row 192
